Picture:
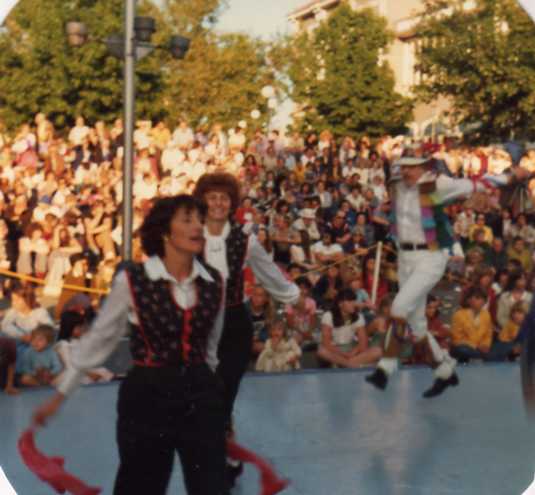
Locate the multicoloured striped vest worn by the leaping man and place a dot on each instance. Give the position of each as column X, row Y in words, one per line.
column 435, row 222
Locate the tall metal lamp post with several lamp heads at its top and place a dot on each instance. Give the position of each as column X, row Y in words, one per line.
column 133, row 45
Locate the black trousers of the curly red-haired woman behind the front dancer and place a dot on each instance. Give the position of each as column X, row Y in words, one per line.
column 234, row 353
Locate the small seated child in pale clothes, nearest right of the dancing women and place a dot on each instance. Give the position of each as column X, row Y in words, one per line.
column 280, row 353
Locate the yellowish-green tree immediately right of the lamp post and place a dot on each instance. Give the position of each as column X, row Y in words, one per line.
column 221, row 78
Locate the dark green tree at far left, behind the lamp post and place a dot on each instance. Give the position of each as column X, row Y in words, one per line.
column 40, row 72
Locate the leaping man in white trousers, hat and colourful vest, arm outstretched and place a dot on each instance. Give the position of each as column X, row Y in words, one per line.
column 422, row 230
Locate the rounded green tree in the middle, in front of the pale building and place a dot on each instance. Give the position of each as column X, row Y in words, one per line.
column 338, row 79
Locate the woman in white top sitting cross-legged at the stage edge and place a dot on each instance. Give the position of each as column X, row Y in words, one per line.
column 344, row 341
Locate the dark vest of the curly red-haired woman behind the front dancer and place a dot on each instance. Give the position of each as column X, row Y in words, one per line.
column 236, row 244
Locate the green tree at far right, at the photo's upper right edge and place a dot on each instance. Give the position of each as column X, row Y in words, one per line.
column 483, row 60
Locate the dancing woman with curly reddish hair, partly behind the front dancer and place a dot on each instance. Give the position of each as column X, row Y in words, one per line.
column 228, row 248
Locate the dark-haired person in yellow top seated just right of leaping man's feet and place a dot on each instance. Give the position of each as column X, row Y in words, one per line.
column 471, row 328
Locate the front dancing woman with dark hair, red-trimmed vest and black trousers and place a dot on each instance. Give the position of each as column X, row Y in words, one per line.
column 171, row 400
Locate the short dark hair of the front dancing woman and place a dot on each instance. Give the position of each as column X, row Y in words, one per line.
column 157, row 223
